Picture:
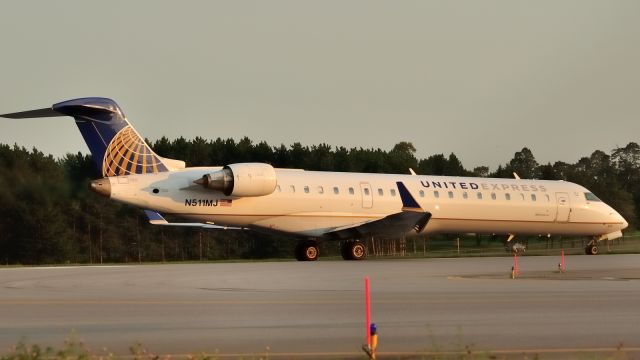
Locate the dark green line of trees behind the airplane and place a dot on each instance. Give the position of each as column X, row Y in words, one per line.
column 48, row 215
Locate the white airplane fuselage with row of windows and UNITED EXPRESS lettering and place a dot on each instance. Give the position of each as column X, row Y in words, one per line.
column 312, row 203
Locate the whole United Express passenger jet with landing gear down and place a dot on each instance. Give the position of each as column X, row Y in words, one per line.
column 317, row 205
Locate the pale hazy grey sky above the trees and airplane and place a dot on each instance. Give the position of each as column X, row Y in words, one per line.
column 481, row 79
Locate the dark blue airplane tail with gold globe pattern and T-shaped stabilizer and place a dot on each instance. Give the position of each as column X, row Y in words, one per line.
column 116, row 147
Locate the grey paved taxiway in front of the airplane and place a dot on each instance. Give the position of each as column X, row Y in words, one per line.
column 318, row 307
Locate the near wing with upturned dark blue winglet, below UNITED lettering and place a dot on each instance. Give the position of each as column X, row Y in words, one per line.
column 412, row 217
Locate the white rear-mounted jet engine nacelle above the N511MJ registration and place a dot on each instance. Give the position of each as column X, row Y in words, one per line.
column 245, row 179
